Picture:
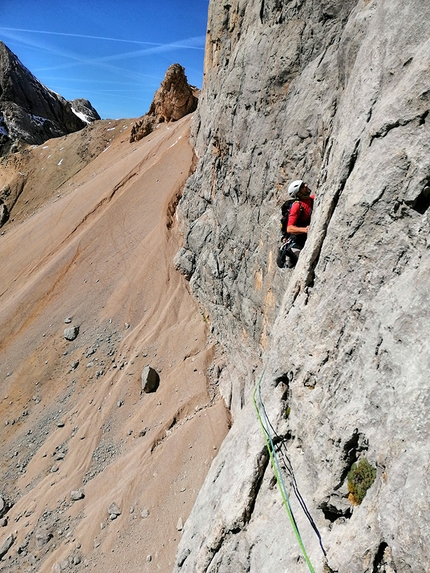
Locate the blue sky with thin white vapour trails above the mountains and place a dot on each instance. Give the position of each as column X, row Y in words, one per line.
column 114, row 53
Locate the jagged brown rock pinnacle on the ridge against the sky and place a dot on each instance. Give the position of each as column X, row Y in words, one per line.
column 174, row 99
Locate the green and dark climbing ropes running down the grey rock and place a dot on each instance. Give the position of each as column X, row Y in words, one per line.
column 265, row 427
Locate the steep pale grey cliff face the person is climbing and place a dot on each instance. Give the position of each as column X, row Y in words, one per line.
column 336, row 93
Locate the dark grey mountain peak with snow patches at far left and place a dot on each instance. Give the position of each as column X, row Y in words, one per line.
column 30, row 112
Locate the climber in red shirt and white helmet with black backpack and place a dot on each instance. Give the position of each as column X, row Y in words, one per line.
column 296, row 217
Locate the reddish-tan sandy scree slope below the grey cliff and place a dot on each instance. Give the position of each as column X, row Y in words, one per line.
column 99, row 252
